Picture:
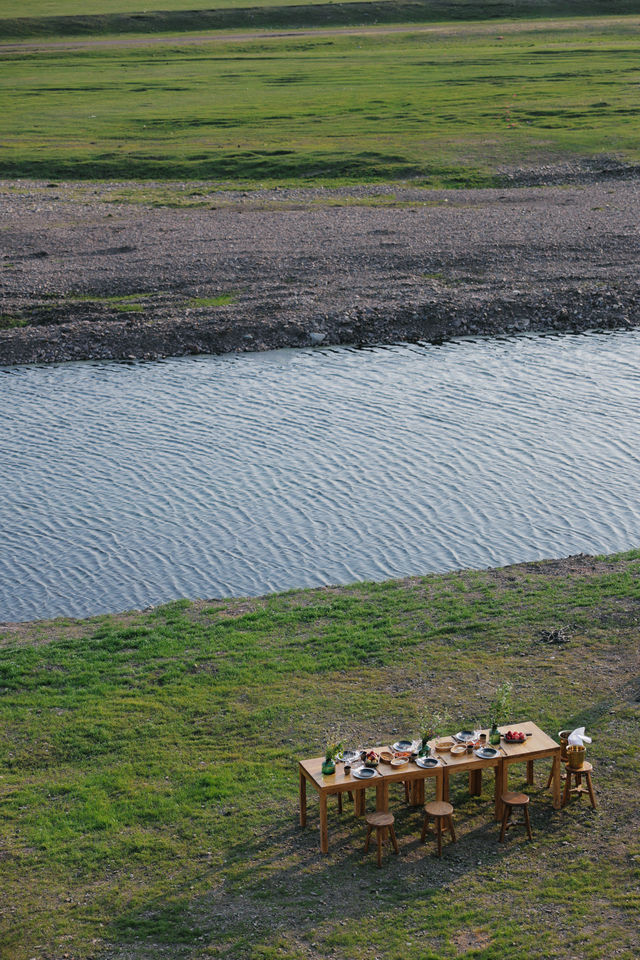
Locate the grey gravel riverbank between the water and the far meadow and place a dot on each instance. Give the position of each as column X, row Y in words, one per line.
column 146, row 270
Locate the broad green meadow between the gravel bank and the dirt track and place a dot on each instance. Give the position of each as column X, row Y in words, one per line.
column 447, row 108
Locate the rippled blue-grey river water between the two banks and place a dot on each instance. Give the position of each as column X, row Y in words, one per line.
column 125, row 485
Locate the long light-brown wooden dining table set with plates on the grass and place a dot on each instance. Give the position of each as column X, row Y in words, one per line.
column 537, row 745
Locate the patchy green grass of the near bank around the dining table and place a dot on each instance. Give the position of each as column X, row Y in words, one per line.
column 148, row 786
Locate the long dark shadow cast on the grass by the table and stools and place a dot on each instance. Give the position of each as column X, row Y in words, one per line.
column 278, row 880
